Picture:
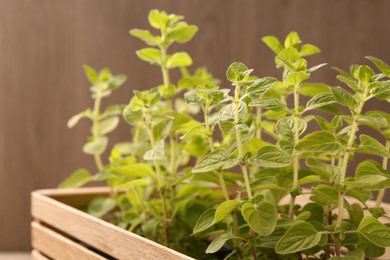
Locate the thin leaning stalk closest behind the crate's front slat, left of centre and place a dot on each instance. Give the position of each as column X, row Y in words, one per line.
column 148, row 122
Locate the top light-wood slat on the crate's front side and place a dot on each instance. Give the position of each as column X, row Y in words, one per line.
column 97, row 233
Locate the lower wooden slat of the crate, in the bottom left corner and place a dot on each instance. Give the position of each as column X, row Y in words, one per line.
column 57, row 246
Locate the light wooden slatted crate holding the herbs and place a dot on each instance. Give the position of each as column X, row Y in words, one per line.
column 61, row 231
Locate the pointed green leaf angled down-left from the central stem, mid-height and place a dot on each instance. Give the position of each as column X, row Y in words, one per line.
column 213, row 161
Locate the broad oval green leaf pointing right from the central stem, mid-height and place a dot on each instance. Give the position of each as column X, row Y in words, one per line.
column 272, row 157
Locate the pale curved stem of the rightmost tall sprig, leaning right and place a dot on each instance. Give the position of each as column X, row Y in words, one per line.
column 347, row 153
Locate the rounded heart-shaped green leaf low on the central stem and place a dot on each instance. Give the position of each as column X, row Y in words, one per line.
column 262, row 219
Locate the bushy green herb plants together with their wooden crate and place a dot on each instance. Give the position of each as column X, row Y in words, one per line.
column 251, row 179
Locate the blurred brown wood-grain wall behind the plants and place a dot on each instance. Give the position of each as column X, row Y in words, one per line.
column 44, row 43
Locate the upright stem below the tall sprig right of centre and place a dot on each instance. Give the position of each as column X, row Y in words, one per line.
column 296, row 165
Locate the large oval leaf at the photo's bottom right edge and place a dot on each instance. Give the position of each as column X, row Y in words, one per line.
column 374, row 231
